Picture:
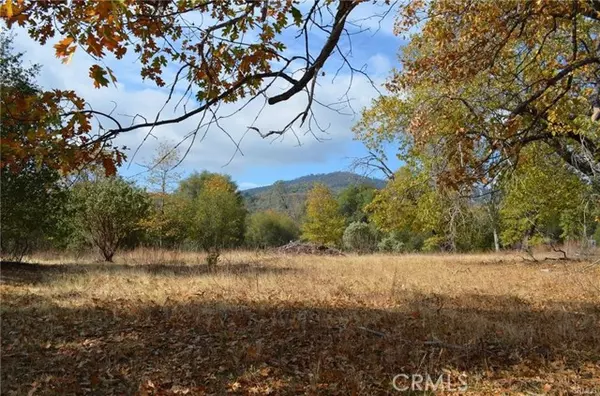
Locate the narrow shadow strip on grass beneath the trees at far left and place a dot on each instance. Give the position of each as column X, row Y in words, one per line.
column 18, row 273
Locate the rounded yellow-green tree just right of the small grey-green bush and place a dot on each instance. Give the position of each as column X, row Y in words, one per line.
column 427, row 213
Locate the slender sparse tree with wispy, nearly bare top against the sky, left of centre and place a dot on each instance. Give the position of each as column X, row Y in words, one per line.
column 161, row 177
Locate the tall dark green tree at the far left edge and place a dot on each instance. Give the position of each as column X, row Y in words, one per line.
column 33, row 198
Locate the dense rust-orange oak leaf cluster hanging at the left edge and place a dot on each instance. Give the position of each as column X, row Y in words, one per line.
column 32, row 129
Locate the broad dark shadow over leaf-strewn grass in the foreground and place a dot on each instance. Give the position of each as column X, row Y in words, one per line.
column 204, row 347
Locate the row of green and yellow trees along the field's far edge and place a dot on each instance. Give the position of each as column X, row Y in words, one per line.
column 542, row 202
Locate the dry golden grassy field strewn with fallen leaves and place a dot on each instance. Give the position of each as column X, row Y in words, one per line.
column 159, row 323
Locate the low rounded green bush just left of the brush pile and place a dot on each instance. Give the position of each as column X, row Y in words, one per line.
column 270, row 229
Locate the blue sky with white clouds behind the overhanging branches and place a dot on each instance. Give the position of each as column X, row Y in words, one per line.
column 261, row 161
